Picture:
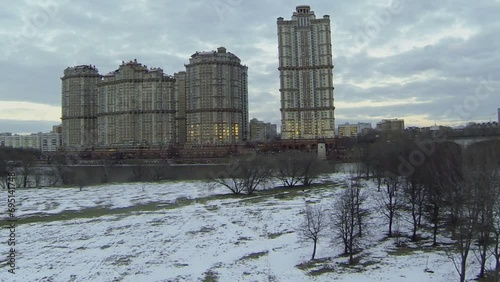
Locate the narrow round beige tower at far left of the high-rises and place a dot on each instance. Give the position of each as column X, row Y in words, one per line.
column 79, row 106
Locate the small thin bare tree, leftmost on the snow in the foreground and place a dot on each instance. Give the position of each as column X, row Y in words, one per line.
column 313, row 225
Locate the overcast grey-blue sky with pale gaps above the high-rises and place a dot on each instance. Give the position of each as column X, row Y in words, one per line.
column 425, row 61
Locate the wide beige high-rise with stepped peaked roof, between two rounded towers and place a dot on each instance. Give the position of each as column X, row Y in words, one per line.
column 136, row 107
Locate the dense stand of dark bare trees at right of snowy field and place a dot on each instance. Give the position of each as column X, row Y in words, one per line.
column 437, row 185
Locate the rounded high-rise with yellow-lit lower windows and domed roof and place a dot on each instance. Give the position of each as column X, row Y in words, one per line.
column 216, row 99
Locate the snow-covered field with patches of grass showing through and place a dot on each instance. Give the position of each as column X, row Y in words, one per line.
column 183, row 231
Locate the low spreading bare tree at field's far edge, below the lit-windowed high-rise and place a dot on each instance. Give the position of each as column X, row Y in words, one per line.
column 244, row 175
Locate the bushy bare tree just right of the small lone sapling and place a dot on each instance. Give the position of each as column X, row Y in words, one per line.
column 348, row 218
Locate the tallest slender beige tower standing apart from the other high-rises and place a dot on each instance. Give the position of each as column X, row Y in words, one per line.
column 306, row 76
